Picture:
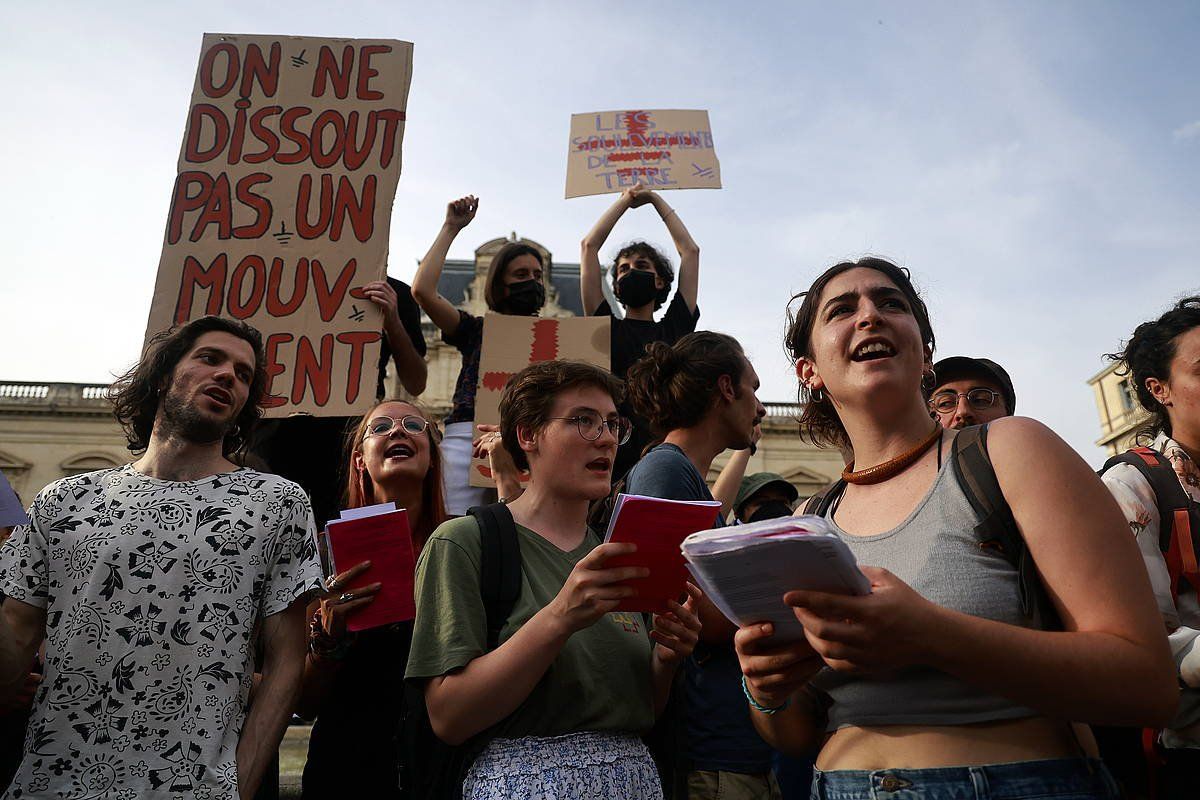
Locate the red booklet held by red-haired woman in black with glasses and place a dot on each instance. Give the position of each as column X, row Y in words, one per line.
column 380, row 536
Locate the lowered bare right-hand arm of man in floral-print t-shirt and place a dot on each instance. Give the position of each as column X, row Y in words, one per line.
column 284, row 642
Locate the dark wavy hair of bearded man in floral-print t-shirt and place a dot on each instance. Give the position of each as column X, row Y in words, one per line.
column 136, row 395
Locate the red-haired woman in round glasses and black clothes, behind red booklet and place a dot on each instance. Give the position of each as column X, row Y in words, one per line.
column 352, row 681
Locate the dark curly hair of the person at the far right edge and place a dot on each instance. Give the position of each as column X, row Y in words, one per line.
column 1149, row 354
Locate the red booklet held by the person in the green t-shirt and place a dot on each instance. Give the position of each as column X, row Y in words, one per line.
column 657, row 527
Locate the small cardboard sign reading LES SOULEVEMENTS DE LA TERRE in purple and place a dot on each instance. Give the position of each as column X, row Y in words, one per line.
column 665, row 149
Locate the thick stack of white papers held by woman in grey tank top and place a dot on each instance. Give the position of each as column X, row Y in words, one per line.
column 746, row 570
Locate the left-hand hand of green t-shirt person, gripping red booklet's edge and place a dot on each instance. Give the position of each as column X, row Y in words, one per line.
column 591, row 591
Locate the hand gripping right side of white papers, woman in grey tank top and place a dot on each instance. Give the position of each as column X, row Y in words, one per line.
column 883, row 631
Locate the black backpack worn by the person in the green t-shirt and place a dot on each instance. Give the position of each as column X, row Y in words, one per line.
column 430, row 768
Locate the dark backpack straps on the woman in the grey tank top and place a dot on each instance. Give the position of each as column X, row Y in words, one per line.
column 997, row 530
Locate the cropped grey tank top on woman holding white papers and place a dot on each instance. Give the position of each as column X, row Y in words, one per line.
column 937, row 554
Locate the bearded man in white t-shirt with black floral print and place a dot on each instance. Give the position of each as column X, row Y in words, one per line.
column 153, row 586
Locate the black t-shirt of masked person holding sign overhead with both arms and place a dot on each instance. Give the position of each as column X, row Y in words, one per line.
column 629, row 341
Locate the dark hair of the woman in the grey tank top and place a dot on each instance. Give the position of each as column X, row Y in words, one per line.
column 820, row 424
